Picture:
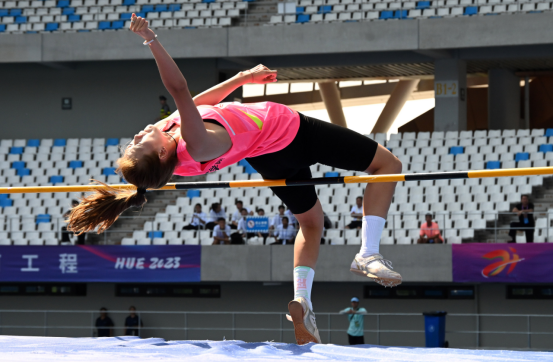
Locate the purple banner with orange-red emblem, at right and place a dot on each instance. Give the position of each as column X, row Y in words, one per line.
column 514, row 263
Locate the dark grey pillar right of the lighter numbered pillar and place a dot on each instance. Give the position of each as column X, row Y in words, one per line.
column 504, row 100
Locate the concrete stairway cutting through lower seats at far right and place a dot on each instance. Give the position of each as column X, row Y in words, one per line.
column 542, row 197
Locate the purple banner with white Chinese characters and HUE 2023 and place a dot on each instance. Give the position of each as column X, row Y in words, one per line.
column 100, row 264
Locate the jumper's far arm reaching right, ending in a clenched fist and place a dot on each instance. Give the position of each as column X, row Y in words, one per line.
column 215, row 95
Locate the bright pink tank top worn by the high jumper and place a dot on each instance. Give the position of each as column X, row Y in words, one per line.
column 255, row 129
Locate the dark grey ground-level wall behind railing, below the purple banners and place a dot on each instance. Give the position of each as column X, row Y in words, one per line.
column 257, row 297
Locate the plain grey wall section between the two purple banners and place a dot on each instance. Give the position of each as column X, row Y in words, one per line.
column 275, row 263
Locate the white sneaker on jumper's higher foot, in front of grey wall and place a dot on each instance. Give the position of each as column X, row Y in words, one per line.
column 376, row 268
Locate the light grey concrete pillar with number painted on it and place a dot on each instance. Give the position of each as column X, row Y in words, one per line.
column 450, row 86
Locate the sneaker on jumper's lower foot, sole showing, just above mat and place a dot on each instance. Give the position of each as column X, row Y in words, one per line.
column 305, row 325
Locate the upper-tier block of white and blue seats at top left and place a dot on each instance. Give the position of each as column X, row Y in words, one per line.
column 37, row 16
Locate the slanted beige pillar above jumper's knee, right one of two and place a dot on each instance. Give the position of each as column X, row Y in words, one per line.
column 399, row 96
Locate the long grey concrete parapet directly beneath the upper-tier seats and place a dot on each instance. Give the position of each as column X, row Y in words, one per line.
column 376, row 36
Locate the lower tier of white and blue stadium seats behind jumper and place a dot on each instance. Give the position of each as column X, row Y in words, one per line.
column 461, row 207
